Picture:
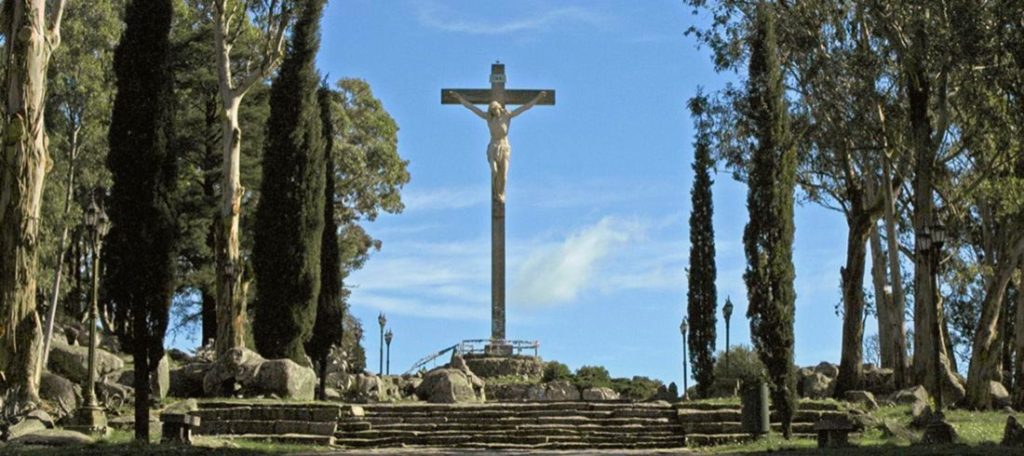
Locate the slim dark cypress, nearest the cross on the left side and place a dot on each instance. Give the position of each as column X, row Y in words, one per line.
column 330, row 307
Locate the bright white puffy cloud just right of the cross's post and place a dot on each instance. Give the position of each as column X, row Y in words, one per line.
column 558, row 274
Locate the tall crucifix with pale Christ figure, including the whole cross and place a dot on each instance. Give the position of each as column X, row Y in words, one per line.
column 499, row 152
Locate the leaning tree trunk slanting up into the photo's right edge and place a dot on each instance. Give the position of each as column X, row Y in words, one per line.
column 986, row 355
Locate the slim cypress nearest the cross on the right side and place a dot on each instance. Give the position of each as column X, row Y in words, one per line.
column 702, row 296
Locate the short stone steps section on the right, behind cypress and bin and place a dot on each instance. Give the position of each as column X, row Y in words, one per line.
column 707, row 425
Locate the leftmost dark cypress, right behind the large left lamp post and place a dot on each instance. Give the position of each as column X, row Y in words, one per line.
column 142, row 246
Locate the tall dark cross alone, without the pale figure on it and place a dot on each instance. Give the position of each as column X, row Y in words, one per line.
column 505, row 98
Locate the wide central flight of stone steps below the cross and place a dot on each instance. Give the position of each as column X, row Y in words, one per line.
column 521, row 426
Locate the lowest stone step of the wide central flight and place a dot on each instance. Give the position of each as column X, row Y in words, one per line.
column 462, row 440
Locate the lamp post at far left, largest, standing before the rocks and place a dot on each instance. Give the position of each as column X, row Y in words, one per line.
column 92, row 418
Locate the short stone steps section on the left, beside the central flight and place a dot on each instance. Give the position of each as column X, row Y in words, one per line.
column 279, row 423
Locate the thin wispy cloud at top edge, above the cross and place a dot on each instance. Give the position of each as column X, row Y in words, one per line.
column 448, row 20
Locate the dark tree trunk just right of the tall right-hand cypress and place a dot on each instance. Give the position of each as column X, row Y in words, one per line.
column 850, row 368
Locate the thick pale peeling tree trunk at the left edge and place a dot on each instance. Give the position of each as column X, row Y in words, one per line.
column 24, row 164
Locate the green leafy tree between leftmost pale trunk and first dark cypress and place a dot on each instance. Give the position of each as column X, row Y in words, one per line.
column 78, row 115
